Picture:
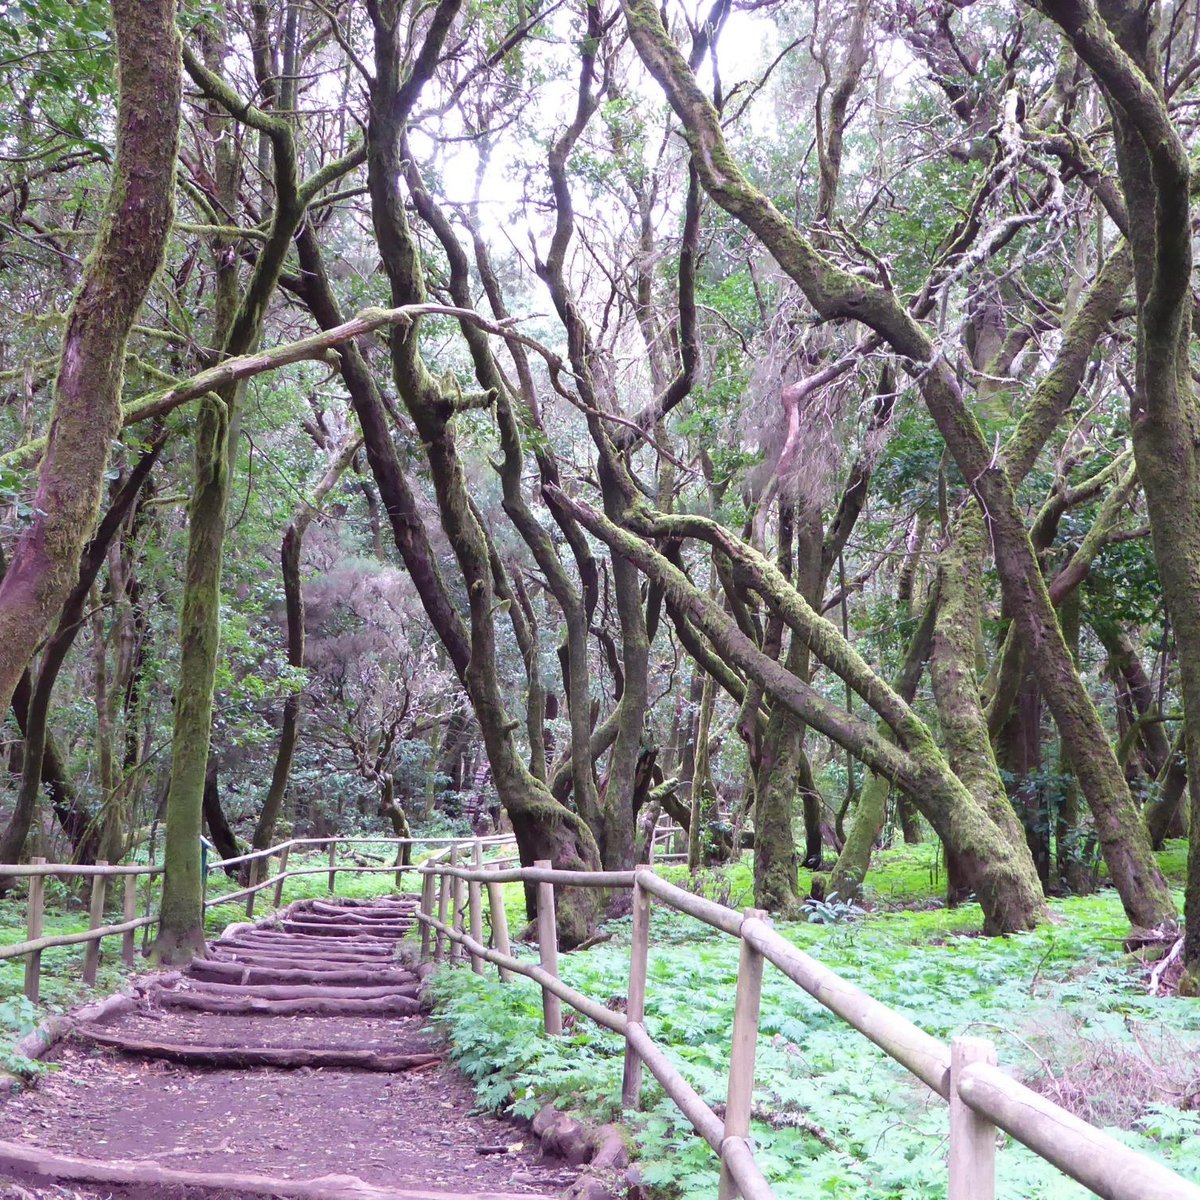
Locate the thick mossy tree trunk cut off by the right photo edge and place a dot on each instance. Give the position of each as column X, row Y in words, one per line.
column 1120, row 43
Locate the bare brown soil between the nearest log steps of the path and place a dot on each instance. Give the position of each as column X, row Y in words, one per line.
column 410, row 1130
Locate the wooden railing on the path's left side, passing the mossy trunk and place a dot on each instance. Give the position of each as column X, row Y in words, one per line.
column 38, row 871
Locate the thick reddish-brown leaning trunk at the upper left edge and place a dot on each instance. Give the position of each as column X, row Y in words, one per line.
column 87, row 415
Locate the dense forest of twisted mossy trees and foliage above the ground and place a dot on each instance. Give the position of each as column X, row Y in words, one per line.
column 777, row 417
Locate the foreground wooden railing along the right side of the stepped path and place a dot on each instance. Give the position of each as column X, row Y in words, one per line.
column 982, row 1099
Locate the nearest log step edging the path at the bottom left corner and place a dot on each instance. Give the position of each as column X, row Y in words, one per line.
column 38, row 1166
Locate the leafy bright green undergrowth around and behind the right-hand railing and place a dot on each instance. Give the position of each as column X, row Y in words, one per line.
column 1067, row 1011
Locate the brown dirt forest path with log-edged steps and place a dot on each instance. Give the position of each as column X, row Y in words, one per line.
column 292, row 1052
